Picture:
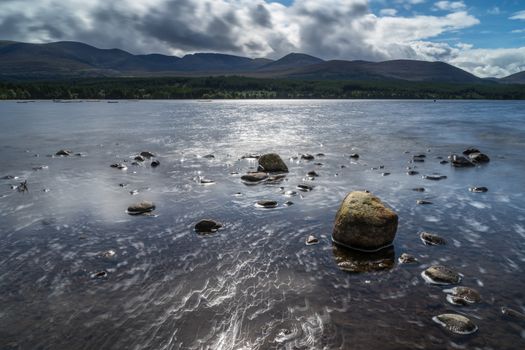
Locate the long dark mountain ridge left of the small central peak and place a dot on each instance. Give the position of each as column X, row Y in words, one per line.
column 73, row 59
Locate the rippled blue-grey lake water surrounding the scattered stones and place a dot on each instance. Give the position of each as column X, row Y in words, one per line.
column 253, row 284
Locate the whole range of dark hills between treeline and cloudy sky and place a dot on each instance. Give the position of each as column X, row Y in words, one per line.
column 66, row 59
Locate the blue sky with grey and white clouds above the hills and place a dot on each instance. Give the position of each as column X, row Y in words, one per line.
column 486, row 38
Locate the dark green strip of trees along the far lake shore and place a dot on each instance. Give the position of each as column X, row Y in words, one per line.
column 234, row 87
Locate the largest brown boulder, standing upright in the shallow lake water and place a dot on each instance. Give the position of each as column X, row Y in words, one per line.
column 364, row 222
